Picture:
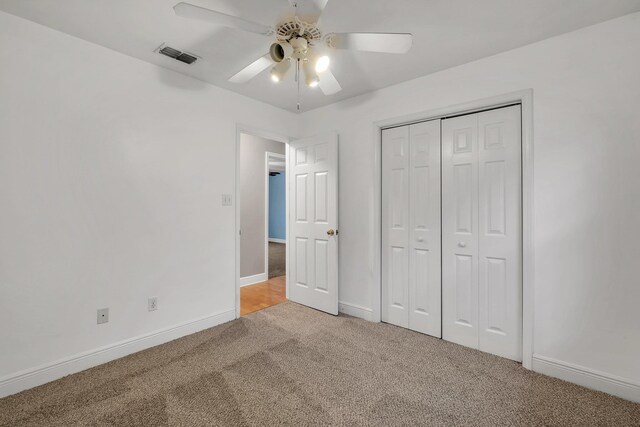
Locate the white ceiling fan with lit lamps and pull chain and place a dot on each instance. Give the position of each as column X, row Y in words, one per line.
column 299, row 41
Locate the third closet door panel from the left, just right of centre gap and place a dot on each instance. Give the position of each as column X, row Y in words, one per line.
column 460, row 230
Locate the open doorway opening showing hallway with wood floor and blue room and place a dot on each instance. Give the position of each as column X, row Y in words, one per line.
column 262, row 221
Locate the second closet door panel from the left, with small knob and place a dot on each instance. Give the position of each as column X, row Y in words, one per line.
column 424, row 235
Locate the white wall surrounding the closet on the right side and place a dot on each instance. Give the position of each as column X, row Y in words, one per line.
column 586, row 90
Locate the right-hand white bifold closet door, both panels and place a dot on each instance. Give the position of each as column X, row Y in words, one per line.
column 481, row 231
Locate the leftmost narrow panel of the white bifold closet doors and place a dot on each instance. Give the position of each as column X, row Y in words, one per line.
column 395, row 226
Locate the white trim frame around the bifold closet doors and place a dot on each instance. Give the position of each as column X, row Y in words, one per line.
column 525, row 99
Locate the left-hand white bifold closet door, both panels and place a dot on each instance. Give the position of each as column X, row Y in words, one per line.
column 411, row 279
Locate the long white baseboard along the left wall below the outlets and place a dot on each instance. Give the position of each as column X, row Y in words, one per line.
column 29, row 378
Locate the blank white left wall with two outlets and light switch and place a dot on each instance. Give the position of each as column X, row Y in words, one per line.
column 111, row 175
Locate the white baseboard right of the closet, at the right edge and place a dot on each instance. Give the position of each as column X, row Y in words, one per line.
column 587, row 377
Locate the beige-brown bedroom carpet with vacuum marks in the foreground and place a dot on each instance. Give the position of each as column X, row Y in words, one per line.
column 290, row 365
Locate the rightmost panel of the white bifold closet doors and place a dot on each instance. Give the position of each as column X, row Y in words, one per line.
column 500, row 238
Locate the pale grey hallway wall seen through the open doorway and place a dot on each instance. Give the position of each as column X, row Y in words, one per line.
column 253, row 176
